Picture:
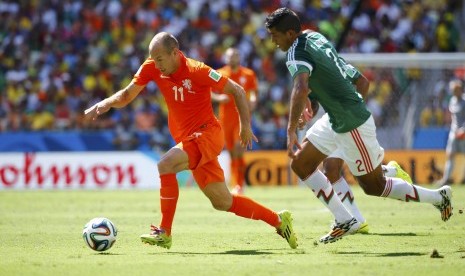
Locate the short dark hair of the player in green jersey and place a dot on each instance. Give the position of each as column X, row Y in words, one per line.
column 283, row 19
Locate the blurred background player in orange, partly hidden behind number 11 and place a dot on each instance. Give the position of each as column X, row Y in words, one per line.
column 228, row 116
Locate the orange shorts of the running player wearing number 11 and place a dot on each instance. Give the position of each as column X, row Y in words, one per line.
column 203, row 148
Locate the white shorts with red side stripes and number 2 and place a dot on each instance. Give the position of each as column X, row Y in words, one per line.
column 359, row 148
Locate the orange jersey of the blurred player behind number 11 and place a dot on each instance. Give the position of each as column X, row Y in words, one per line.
column 248, row 80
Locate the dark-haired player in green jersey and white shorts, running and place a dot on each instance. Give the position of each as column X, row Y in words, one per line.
column 347, row 127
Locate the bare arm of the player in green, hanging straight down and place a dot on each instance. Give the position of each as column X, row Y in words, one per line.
column 299, row 99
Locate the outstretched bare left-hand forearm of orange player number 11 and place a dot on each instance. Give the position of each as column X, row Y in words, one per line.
column 118, row 100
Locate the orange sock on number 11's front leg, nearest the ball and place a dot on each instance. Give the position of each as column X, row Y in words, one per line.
column 169, row 193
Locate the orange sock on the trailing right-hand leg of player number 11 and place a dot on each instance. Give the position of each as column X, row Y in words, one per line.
column 245, row 207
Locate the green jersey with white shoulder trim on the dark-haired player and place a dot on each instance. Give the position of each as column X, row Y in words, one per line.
column 330, row 80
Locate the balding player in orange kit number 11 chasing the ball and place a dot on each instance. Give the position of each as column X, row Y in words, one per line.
column 186, row 85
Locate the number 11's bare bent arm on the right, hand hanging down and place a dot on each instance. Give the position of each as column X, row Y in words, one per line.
column 240, row 100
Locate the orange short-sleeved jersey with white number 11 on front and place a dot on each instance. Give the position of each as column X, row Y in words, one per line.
column 186, row 92
